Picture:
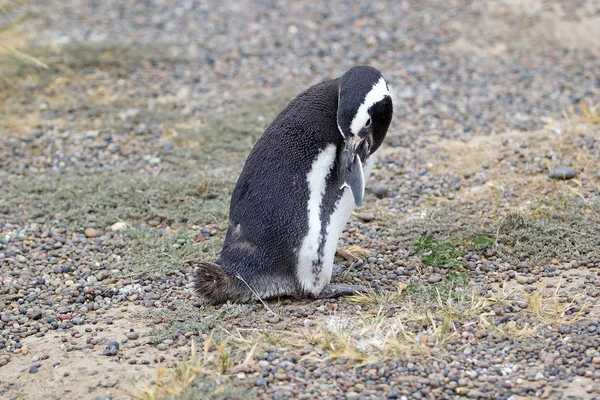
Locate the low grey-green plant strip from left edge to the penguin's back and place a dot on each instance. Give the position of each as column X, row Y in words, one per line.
column 110, row 197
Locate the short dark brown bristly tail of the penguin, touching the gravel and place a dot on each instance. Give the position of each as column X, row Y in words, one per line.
column 214, row 284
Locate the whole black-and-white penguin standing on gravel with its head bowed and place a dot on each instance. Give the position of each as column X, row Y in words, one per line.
column 297, row 190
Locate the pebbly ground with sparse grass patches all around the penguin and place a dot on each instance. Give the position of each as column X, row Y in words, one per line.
column 117, row 163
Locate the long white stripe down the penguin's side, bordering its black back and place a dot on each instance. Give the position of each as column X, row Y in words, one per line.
column 317, row 180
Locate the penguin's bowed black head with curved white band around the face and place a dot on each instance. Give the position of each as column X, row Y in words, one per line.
column 364, row 109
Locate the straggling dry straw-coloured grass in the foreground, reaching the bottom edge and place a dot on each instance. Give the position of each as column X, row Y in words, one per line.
column 391, row 325
